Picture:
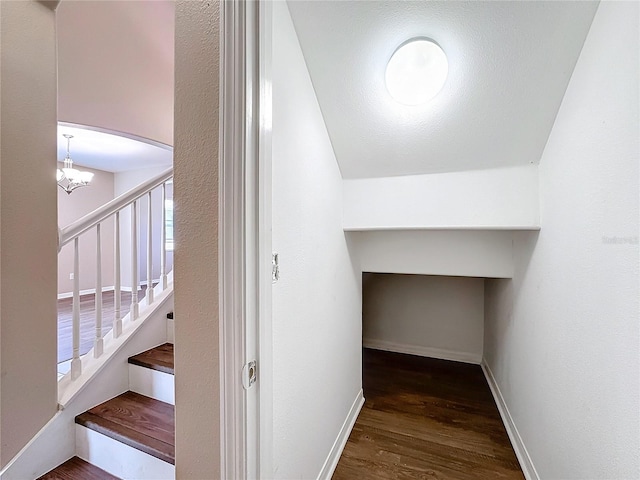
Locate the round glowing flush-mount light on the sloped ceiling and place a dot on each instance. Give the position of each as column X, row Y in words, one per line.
column 416, row 71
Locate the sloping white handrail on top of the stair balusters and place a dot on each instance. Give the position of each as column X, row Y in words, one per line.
column 90, row 220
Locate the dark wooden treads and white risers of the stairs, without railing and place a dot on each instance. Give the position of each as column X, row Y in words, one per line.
column 130, row 436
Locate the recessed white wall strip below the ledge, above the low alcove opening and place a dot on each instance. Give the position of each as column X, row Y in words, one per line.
column 436, row 252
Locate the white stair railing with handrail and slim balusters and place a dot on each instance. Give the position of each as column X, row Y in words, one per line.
column 73, row 232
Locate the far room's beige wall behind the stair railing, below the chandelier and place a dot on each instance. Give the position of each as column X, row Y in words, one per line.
column 74, row 206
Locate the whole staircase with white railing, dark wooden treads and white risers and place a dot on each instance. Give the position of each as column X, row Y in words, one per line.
column 130, row 436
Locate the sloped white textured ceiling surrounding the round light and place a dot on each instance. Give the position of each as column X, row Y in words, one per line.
column 509, row 65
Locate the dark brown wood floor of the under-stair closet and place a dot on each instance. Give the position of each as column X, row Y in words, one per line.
column 426, row 419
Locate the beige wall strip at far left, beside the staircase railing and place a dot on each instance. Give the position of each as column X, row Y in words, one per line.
column 28, row 222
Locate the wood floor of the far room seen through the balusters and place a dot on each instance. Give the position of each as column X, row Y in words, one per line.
column 88, row 320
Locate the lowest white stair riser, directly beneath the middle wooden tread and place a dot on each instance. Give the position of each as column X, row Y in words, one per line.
column 119, row 459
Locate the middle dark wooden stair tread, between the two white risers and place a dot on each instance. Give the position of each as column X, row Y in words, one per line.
column 135, row 420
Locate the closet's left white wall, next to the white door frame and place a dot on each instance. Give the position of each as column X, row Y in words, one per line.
column 317, row 301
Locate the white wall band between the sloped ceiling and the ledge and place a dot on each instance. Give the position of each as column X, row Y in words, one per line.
column 502, row 198
